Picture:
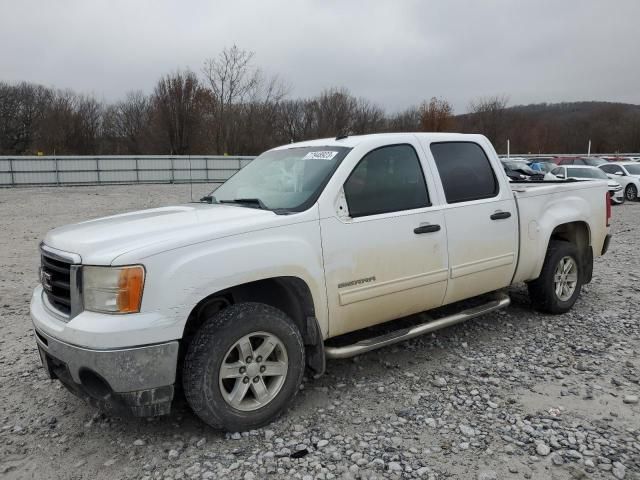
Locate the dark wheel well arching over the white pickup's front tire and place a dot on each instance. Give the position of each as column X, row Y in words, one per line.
column 289, row 294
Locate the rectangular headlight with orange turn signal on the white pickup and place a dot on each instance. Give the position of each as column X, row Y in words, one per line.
column 113, row 289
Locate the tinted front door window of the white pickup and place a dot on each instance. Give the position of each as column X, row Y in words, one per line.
column 388, row 179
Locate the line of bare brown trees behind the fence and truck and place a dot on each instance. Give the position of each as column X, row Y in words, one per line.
column 232, row 107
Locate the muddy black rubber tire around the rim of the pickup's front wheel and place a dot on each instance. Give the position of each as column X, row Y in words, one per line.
column 208, row 350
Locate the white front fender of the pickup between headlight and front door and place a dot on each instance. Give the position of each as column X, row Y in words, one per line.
column 177, row 280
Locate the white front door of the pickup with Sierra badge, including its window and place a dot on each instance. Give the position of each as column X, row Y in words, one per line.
column 387, row 256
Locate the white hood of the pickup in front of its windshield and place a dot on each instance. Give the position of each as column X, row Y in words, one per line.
column 101, row 241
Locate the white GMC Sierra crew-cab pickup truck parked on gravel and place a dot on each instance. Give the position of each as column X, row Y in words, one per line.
column 233, row 297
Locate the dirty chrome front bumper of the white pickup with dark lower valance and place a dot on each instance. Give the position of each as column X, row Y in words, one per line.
column 137, row 381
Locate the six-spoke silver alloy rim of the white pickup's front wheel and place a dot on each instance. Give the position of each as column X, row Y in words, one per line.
column 253, row 371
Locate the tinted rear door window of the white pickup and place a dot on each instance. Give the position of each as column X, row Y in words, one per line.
column 465, row 171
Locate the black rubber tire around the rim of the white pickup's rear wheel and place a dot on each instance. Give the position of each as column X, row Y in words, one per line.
column 542, row 290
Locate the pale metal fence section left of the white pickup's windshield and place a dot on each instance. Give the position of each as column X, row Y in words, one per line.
column 117, row 169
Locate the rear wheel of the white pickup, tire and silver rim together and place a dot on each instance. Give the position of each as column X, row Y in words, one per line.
column 558, row 286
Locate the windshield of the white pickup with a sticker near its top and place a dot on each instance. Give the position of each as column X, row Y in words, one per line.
column 290, row 179
